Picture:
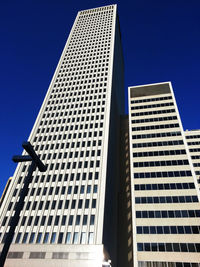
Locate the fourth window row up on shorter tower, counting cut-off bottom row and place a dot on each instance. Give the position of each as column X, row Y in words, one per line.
column 167, row 213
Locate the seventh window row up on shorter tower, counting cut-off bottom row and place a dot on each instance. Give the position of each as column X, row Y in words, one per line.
column 162, row 174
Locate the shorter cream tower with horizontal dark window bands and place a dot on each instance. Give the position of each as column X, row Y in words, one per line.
column 165, row 194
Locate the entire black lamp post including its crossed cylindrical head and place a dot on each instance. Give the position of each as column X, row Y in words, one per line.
column 35, row 162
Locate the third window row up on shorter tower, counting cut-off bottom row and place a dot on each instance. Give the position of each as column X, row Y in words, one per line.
column 194, row 229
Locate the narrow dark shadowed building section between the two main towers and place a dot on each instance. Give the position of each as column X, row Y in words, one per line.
column 125, row 237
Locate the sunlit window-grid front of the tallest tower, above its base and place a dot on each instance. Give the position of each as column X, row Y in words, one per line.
column 69, row 138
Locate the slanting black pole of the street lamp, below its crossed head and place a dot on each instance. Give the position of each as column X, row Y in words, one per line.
column 15, row 219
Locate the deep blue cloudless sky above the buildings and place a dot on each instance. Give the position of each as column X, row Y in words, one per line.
column 161, row 42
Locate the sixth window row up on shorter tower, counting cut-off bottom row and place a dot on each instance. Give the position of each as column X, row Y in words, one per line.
column 169, row 186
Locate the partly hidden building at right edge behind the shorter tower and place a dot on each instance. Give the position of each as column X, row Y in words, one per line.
column 193, row 141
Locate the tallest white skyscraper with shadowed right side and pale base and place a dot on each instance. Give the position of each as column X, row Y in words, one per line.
column 69, row 214
